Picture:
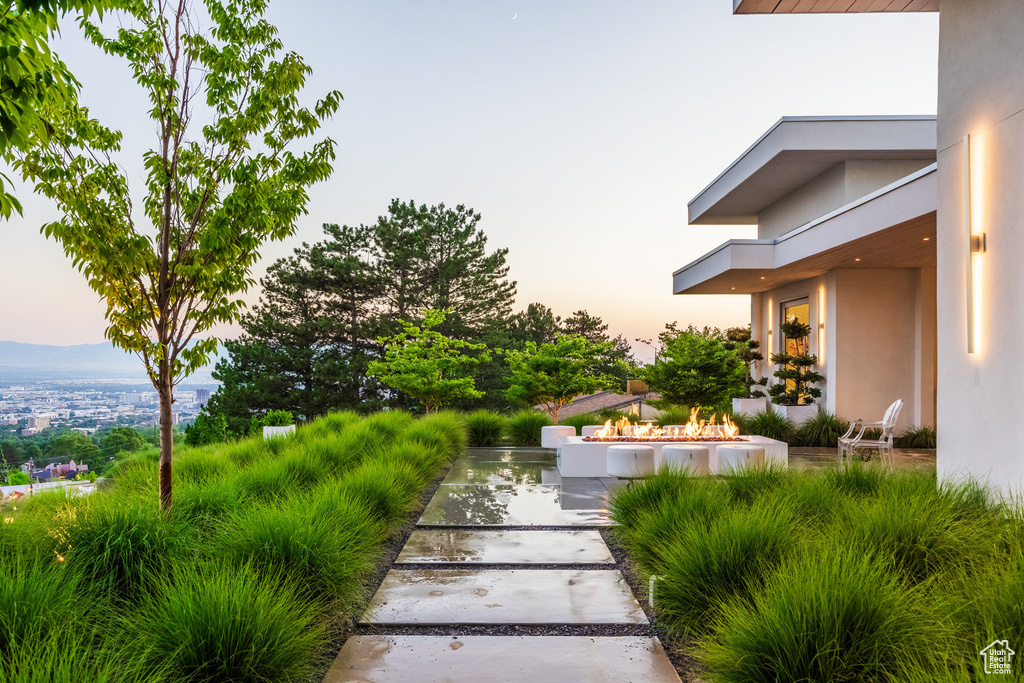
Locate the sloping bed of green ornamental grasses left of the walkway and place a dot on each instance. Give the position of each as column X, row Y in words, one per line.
column 265, row 560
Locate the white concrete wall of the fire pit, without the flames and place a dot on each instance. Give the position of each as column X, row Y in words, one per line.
column 589, row 459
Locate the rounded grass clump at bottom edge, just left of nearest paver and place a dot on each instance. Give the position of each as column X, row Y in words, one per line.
column 230, row 624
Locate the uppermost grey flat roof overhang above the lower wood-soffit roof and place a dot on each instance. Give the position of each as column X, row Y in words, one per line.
column 796, row 151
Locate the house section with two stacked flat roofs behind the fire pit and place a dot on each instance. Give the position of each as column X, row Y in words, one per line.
column 845, row 209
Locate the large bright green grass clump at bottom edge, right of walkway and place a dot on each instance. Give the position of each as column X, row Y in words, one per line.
column 837, row 617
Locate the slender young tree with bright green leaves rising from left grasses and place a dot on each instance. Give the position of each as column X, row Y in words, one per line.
column 221, row 181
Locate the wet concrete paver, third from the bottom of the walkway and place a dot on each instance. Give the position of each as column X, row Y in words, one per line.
column 505, row 547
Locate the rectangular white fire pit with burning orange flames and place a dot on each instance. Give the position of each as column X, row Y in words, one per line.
column 587, row 456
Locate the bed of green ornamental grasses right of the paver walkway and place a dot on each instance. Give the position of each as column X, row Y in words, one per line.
column 852, row 575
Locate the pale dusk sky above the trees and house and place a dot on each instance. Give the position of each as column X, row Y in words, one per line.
column 579, row 131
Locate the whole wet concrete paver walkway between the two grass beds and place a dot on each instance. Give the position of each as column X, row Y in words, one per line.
column 506, row 546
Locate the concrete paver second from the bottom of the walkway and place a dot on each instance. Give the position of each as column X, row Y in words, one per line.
column 496, row 596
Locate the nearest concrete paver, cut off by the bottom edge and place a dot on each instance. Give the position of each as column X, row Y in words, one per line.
column 501, row 660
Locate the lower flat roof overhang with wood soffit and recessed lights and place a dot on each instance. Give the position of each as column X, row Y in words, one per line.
column 891, row 229
